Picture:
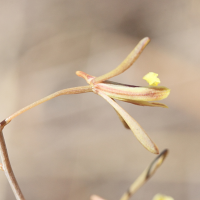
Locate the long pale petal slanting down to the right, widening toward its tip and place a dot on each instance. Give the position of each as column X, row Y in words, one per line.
column 134, row 126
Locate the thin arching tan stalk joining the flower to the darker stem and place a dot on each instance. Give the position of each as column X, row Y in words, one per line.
column 75, row 90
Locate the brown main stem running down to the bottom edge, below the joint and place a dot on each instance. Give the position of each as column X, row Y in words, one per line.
column 8, row 169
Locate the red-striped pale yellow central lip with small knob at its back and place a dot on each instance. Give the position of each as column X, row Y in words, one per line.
column 126, row 92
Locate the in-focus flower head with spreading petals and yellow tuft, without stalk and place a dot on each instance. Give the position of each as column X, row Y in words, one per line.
column 129, row 93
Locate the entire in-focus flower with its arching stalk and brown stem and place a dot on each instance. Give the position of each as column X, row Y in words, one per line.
column 109, row 91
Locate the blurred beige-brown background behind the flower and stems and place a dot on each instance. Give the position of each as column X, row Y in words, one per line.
column 74, row 146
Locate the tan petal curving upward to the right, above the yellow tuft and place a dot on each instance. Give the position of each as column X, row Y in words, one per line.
column 130, row 59
